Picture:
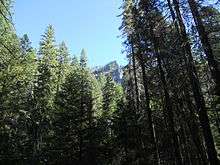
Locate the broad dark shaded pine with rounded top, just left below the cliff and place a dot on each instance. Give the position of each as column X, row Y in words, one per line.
column 78, row 103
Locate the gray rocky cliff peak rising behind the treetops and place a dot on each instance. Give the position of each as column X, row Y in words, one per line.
column 112, row 69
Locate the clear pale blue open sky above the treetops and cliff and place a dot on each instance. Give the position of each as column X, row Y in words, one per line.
column 89, row 24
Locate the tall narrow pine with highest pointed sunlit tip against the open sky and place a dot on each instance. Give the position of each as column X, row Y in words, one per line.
column 44, row 92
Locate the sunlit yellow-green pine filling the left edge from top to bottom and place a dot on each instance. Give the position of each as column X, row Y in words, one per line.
column 14, row 86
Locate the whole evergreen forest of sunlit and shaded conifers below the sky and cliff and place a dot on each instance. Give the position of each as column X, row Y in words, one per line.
column 165, row 111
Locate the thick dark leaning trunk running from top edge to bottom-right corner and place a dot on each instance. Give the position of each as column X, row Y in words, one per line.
column 199, row 99
